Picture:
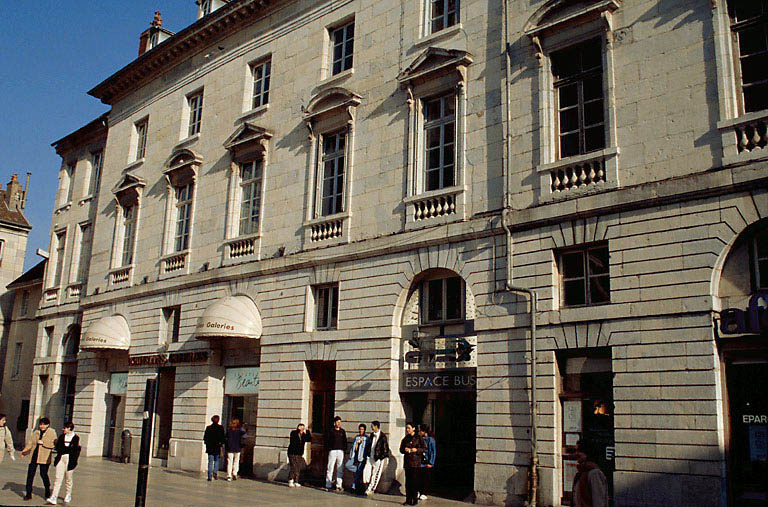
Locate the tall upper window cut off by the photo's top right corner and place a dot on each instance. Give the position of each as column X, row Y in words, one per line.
column 749, row 25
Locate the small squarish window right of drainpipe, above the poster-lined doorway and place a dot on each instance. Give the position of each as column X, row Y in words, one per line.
column 585, row 276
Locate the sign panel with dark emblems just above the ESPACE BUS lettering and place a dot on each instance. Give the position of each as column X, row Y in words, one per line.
column 441, row 352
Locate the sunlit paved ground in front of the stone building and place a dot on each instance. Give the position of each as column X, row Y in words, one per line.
column 105, row 483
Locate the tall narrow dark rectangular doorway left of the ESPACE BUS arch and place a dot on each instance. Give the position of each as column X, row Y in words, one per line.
column 322, row 398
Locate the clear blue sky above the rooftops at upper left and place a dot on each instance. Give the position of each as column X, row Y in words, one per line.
column 52, row 52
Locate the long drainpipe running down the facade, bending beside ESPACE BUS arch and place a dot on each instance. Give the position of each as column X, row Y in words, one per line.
column 509, row 283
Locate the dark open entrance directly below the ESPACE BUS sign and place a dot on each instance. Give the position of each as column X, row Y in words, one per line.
column 452, row 417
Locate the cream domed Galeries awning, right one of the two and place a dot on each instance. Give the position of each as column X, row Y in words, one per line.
column 231, row 317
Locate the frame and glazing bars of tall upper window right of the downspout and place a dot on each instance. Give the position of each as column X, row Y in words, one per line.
column 578, row 79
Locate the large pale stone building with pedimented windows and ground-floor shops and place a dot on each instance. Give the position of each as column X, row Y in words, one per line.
column 343, row 207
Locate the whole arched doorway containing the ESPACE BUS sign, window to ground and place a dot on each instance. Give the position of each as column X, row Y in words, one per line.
column 437, row 384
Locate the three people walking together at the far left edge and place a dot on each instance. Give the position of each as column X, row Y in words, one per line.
column 41, row 445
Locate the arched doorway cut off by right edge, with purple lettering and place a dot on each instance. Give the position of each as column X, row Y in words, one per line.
column 740, row 286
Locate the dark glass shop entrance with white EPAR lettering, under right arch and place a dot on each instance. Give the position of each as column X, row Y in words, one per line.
column 748, row 450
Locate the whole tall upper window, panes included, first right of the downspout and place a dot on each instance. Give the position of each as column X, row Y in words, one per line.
column 578, row 74
